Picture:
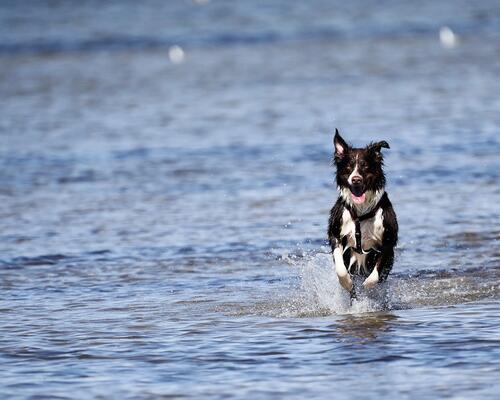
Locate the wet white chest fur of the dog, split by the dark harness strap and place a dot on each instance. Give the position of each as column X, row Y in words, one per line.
column 372, row 232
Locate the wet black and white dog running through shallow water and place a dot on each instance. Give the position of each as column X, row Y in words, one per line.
column 363, row 229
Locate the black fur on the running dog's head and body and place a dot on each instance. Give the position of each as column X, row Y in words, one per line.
column 371, row 178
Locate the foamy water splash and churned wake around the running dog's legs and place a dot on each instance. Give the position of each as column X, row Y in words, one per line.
column 316, row 291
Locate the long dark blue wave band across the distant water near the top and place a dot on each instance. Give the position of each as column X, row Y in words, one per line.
column 120, row 42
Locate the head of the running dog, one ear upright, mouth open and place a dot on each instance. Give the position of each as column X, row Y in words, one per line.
column 359, row 170
